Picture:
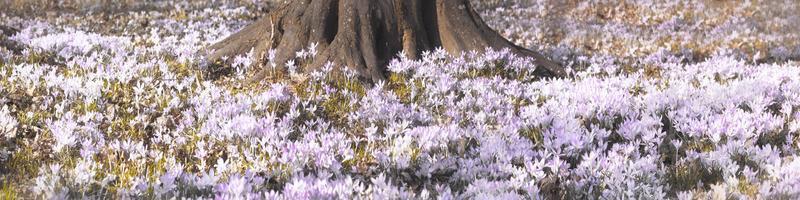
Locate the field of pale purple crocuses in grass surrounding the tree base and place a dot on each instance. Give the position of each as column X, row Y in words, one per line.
column 668, row 99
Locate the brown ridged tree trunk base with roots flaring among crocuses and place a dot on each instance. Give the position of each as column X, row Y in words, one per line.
column 364, row 35
